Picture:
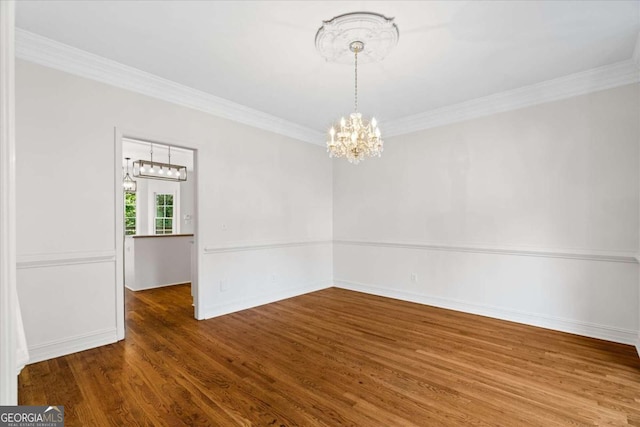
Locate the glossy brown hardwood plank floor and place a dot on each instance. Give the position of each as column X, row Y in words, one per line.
column 334, row 358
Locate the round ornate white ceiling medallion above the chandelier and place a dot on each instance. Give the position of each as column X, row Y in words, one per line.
column 379, row 33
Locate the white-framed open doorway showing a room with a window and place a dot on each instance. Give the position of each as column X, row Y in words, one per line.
column 156, row 217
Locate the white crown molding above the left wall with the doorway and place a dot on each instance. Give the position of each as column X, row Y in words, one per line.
column 50, row 53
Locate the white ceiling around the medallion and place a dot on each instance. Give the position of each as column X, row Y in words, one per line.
column 261, row 54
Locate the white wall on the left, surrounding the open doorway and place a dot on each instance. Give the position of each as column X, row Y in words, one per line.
column 257, row 192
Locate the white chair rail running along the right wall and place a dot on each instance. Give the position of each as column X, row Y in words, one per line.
column 589, row 255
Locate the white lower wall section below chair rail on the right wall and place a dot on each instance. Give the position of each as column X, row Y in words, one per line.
column 591, row 297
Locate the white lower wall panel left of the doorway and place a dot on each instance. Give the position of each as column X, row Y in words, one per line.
column 67, row 301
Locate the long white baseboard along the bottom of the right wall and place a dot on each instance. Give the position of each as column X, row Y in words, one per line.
column 592, row 330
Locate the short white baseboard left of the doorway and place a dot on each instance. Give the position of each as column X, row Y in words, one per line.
column 62, row 347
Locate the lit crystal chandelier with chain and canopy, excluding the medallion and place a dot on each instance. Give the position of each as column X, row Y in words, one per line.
column 355, row 138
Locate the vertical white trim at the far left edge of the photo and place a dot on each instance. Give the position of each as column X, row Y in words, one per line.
column 8, row 293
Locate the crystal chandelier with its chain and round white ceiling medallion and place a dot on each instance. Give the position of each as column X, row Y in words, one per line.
column 356, row 137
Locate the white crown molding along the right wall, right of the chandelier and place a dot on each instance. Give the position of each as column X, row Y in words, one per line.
column 606, row 77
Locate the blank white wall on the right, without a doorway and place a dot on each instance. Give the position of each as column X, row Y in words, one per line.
column 530, row 215
